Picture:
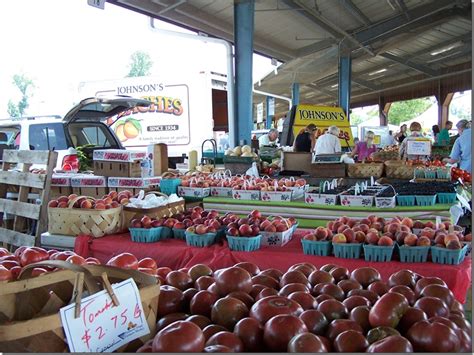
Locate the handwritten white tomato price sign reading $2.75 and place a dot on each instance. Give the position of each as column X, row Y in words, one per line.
column 103, row 327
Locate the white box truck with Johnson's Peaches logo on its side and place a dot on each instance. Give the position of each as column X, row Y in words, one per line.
column 187, row 109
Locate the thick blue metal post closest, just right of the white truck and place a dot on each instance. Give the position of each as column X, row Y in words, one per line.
column 243, row 38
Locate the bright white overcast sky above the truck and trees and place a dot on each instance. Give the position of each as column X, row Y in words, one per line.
column 59, row 43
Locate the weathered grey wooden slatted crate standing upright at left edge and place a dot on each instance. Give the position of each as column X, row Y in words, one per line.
column 30, row 218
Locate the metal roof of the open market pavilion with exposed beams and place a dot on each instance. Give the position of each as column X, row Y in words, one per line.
column 400, row 49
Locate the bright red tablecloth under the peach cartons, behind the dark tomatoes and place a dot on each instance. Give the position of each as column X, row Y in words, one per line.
column 176, row 254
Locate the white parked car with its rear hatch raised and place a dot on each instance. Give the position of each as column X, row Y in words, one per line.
column 83, row 125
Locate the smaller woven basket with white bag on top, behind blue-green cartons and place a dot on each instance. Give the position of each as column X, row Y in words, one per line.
column 168, row 210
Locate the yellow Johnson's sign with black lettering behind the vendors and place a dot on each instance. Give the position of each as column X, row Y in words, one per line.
column 323, row 117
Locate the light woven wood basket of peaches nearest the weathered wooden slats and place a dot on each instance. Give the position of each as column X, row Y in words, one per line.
column 75, row 221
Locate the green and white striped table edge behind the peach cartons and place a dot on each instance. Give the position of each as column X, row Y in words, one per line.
column 311, row 216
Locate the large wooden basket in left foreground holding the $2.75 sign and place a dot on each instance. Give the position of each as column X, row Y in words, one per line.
column 29, row 308
